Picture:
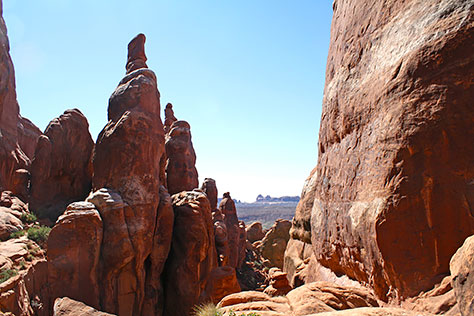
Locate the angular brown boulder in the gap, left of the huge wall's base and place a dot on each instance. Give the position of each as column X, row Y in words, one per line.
column 272, row 246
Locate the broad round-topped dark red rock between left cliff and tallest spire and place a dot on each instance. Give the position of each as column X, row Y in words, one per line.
column 61, row 170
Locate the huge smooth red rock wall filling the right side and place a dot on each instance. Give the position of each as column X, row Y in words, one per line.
column 393, row 191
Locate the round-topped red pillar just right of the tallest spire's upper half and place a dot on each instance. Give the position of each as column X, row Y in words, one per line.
column 181, row 172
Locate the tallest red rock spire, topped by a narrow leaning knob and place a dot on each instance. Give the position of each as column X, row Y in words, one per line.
column 133, row 205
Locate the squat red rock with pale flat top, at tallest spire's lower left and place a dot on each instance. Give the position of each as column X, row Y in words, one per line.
column 75, row 263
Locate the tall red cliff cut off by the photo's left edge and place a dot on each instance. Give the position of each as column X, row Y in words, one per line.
column 13, row 132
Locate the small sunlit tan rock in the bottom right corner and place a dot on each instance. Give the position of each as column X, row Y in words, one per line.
column 462, row 271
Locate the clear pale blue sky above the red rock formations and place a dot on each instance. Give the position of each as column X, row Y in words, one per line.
column 247, row 75
